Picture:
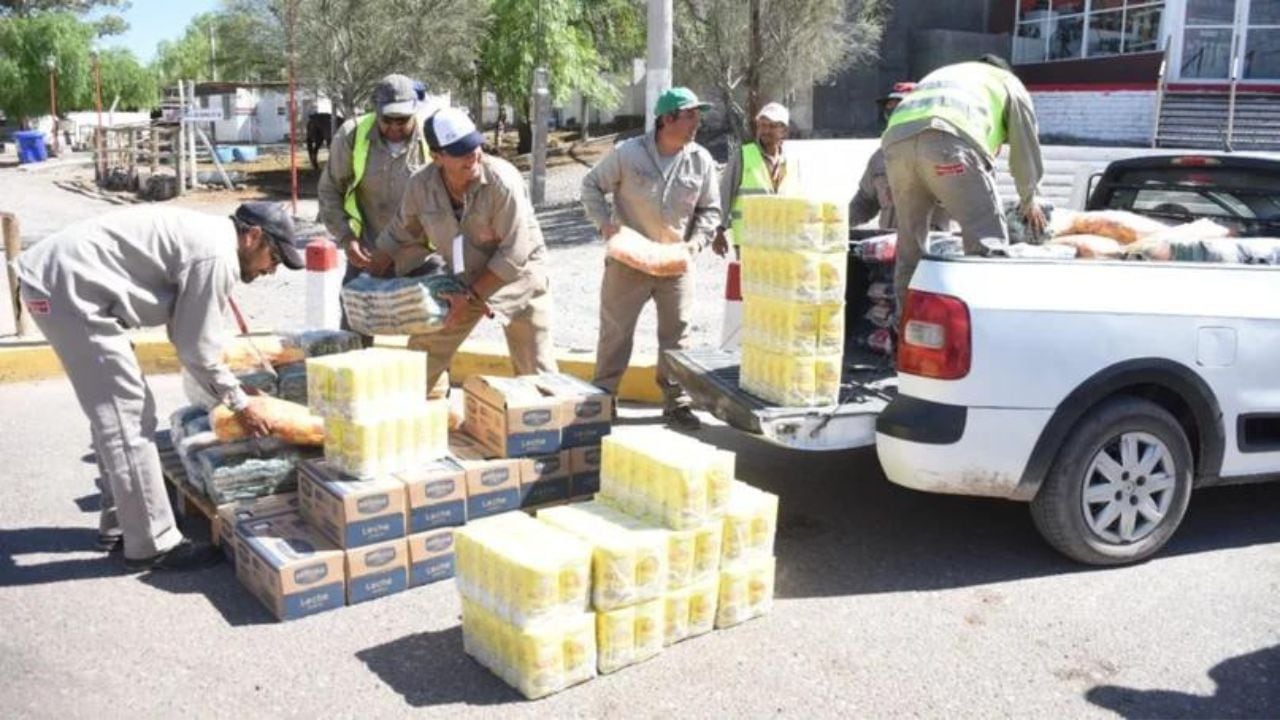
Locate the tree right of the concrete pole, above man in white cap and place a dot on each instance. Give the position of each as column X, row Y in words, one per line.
column 792, row 44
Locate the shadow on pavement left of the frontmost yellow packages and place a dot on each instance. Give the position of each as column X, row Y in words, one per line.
column 429, row 669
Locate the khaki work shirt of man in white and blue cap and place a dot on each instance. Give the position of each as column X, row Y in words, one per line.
column 497, row 227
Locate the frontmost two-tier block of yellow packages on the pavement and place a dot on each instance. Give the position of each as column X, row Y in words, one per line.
column 525, row 603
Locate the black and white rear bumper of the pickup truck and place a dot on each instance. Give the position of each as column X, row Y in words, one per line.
column 945, row 449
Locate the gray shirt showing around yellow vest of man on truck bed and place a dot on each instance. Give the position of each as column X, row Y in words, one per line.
column 1022, row 135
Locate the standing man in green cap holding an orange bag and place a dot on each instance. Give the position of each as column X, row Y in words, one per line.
column 665, row 188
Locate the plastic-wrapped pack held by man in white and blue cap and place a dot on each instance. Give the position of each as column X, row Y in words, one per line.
column 399, row 306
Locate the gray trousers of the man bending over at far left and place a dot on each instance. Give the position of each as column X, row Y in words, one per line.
column 115, row 395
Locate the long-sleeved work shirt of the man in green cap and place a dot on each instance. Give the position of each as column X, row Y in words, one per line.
column 680, row 206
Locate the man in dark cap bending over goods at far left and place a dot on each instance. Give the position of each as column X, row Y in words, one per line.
column 92, row 282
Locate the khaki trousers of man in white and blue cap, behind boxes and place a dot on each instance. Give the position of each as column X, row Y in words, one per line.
column 529, row 341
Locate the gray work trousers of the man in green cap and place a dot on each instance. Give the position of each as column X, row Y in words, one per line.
column 624, row 295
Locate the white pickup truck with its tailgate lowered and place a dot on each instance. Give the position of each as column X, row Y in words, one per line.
column 1101, row 393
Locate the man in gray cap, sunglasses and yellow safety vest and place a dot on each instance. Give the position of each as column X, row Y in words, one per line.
column 371, row 162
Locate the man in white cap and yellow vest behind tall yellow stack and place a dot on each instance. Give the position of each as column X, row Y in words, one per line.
column 760, row 168
